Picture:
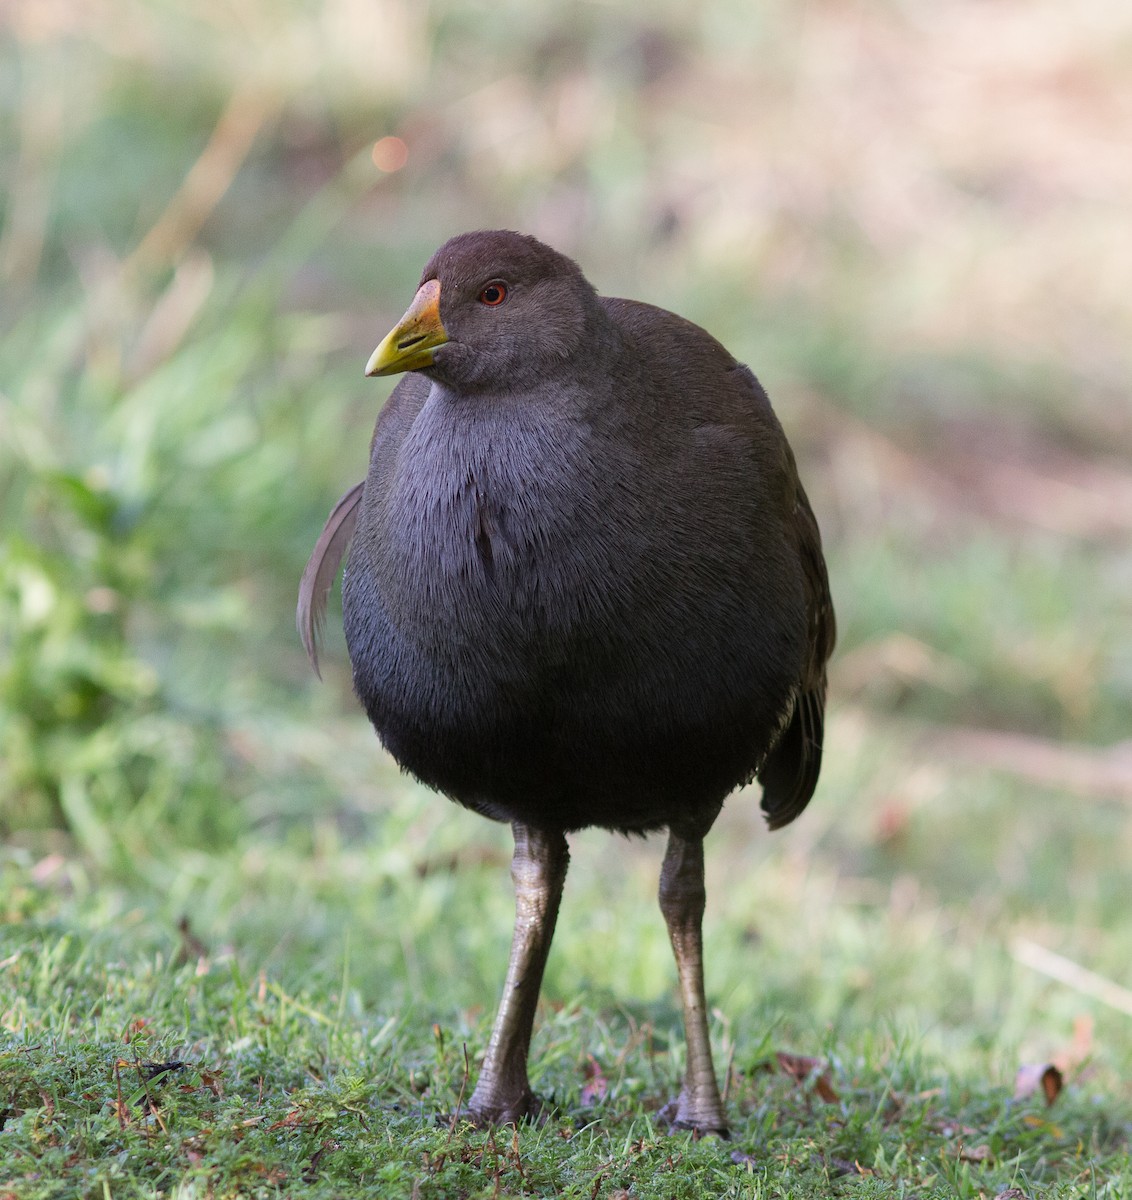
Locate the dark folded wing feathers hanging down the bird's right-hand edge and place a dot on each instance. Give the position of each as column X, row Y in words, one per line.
column 789, row 775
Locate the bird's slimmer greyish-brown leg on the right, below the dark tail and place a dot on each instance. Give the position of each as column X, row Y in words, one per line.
column 682, row 898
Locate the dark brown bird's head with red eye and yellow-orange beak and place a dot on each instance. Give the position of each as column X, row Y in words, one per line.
column 495, row 311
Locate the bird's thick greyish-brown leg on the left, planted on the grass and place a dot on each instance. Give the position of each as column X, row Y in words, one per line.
column 538, row 869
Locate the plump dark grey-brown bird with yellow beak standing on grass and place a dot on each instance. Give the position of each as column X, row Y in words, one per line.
column 585, row 589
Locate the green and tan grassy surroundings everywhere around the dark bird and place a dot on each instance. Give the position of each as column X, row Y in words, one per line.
column 208, row 862
